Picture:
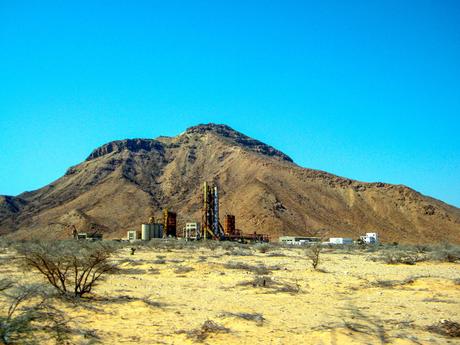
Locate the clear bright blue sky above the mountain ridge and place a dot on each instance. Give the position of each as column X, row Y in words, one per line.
column 364, row 89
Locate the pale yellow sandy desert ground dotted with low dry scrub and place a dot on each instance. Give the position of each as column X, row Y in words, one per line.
column 163, row 296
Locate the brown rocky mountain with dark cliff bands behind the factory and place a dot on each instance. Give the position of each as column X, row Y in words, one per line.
column 123, row 182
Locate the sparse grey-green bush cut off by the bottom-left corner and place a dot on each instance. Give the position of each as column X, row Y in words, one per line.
column 27, row 316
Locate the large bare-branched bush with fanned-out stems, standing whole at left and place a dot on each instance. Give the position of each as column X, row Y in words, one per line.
column 72, row 267
